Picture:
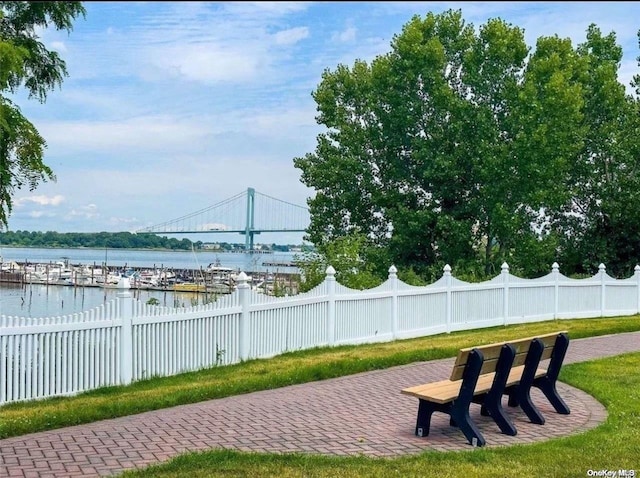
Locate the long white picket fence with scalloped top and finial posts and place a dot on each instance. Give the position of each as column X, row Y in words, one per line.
column 126, row 340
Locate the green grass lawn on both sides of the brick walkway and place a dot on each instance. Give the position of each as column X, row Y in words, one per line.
column 613, row 445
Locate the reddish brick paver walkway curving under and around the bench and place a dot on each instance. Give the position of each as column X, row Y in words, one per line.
column 363, row 414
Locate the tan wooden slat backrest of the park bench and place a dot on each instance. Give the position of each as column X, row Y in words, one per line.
column 491, row 352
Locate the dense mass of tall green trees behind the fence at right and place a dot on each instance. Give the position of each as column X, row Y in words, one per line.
column 465, row 146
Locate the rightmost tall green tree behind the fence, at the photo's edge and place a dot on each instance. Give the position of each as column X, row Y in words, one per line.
column 601, row 222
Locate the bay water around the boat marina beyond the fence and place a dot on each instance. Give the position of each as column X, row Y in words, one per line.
column 40, row 300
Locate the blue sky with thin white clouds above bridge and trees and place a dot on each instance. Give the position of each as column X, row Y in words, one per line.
column 171, row 107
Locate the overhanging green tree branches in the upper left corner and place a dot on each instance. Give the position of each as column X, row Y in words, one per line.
column 25, row 62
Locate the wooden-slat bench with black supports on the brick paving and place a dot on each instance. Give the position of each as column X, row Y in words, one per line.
column 484, row 374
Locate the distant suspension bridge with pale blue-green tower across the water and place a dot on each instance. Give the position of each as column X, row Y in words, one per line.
column 248, row 213
